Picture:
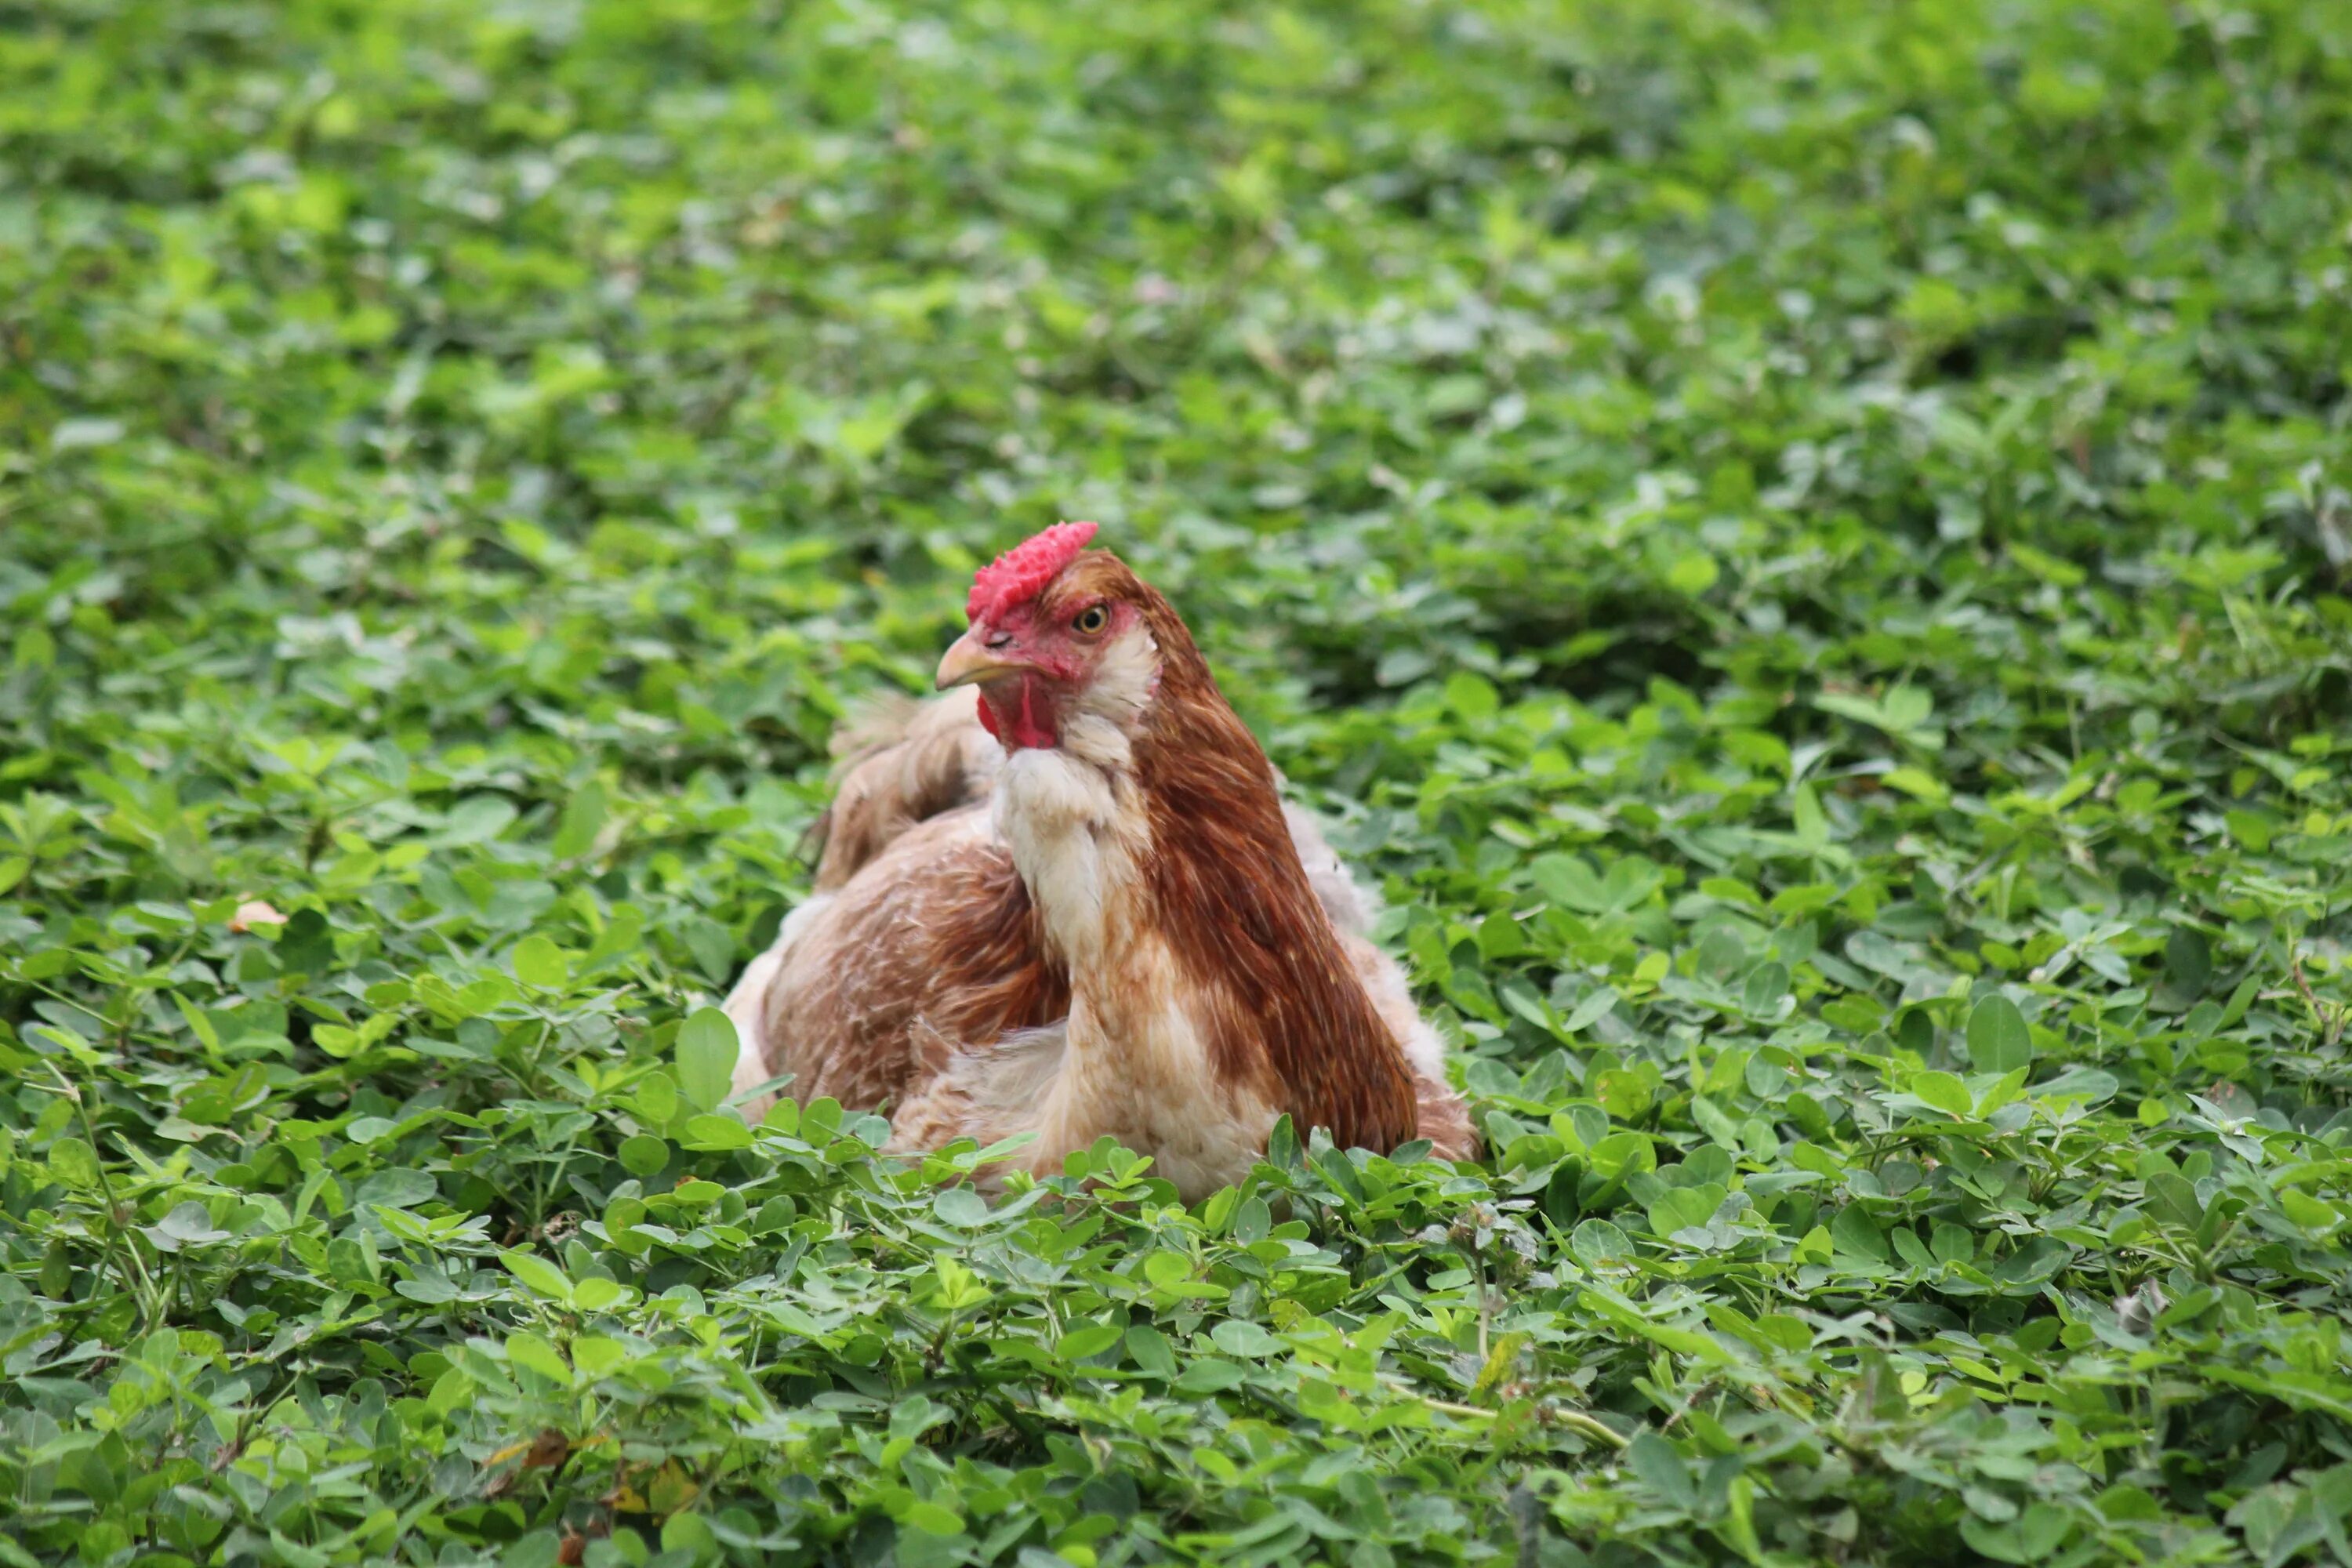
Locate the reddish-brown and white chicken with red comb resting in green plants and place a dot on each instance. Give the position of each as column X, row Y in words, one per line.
column 1067, row 899
